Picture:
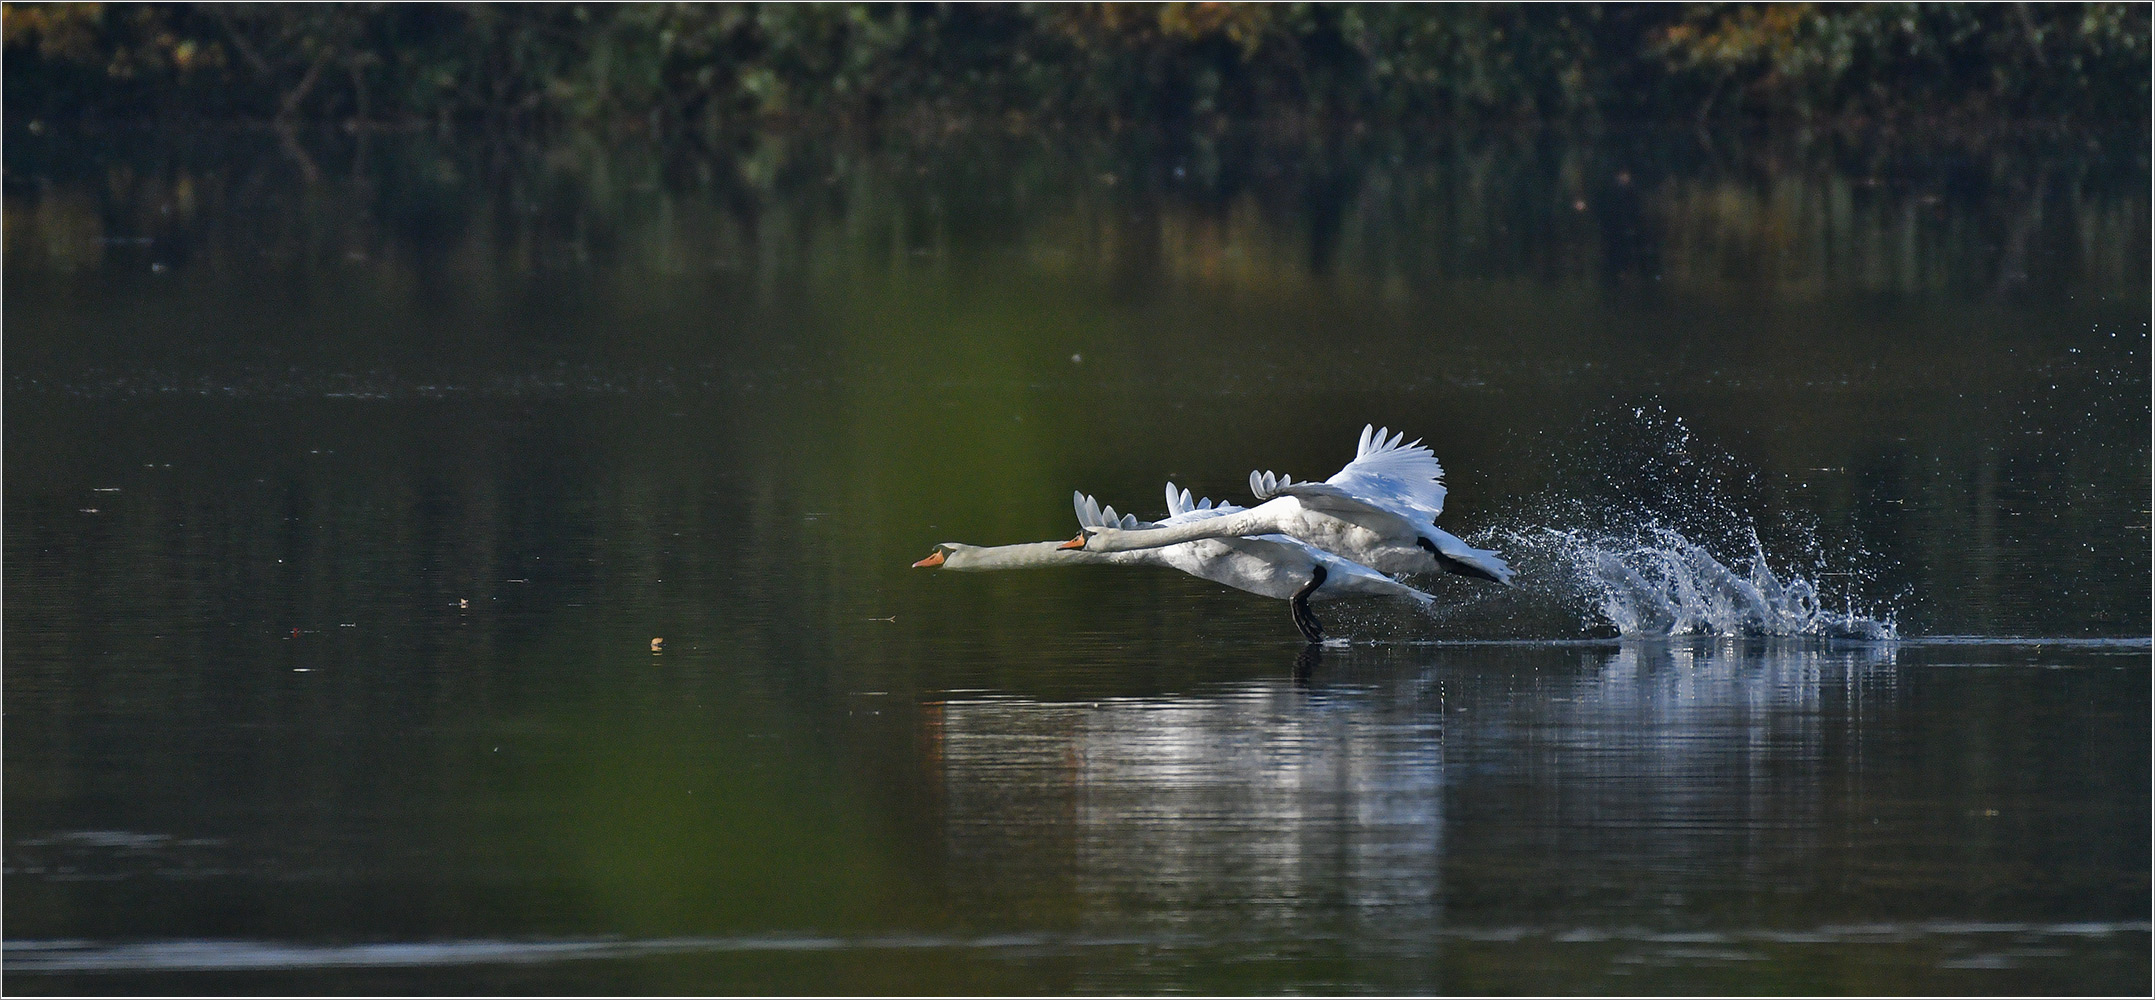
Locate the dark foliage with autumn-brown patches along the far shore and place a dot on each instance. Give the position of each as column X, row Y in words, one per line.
column 1180, row 61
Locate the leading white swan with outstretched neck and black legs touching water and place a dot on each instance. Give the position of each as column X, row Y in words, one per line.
column 1270, row 566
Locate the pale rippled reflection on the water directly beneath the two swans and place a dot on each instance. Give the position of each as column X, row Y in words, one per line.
column 1264, row 807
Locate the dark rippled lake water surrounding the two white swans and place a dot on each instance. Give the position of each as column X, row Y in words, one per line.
column 350, row 482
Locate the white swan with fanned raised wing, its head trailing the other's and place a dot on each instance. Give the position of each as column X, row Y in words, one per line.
column 1380, row 512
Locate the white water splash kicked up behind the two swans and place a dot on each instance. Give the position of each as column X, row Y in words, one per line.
column 1660, row 583
